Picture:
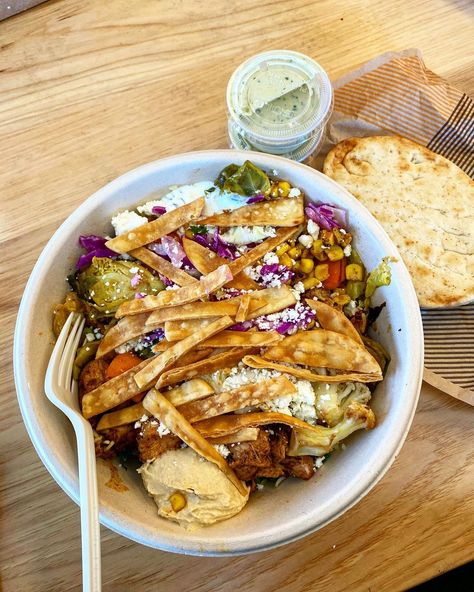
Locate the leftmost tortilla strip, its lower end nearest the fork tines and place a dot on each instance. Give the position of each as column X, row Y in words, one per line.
column 113, row 392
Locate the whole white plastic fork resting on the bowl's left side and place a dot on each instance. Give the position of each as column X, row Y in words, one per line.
column 61, row 390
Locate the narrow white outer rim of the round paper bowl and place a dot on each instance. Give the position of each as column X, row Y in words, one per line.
column 21, row 333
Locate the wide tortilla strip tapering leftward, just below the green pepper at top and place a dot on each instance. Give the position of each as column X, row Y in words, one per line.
column 276, row 212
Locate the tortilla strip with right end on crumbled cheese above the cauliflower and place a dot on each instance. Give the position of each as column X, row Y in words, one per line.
column 238, row 398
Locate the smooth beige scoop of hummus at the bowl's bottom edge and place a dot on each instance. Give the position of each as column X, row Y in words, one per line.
column 209, row 495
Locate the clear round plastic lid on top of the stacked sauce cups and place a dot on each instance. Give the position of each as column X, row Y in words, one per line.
column 279, row 96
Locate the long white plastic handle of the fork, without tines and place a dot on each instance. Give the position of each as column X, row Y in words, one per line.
column 90, row 526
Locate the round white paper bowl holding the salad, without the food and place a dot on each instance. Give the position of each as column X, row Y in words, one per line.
column 273, row 517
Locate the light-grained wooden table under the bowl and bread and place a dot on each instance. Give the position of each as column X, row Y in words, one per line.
column 90, row 89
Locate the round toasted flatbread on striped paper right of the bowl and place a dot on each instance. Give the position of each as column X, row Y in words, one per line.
column 424, row 202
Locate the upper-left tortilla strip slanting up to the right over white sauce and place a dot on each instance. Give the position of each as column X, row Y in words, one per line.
column 152, row 231
